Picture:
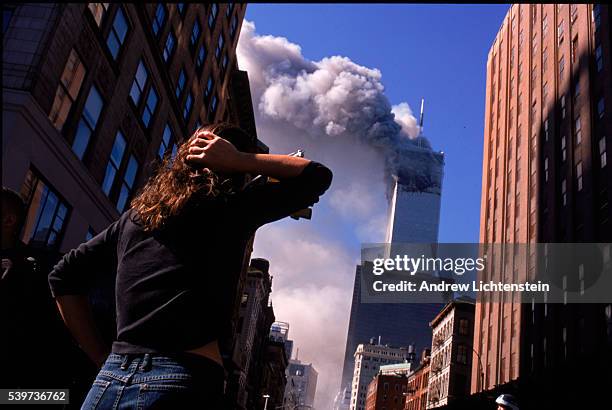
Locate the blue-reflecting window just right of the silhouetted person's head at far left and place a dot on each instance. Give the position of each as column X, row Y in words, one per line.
column 46, row 214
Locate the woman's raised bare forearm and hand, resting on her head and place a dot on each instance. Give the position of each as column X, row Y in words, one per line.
column 220, row 155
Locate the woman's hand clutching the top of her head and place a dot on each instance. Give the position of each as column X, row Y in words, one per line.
column 210, row 151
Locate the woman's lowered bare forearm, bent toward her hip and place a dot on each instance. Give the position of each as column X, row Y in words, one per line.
column 78, row 317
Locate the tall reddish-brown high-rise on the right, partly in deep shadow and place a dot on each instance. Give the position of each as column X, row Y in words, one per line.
column 546, row 178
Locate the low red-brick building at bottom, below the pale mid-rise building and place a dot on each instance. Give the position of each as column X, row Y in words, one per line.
column 386, row 391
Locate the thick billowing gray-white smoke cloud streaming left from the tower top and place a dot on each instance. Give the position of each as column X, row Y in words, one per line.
column 331, row 98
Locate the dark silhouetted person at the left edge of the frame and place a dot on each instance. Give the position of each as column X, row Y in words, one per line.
column 36, row 350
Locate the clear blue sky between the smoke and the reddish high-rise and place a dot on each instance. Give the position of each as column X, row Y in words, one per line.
column 437, row 52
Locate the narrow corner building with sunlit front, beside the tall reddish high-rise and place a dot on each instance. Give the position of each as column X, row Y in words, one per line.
column 451, row 353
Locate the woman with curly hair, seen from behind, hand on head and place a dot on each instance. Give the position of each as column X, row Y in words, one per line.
column 177, row 253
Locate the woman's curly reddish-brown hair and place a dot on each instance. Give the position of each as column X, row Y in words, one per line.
column 175, row 181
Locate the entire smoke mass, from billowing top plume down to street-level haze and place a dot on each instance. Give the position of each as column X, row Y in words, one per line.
column 335, row 110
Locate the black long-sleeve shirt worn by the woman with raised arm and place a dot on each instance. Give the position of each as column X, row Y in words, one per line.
column 175, row 287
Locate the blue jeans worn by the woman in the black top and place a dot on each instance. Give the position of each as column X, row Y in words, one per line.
column 147, row 381
